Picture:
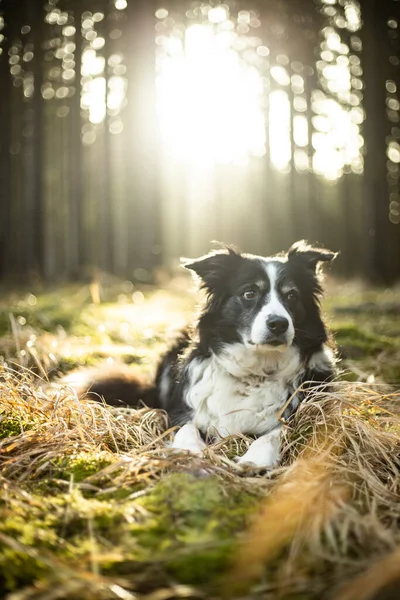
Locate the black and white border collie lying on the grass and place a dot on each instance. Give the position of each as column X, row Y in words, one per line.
column 257, row 349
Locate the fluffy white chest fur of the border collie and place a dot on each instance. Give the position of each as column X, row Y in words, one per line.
column 226, row 404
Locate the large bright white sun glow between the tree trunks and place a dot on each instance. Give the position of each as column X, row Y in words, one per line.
column 209, row 99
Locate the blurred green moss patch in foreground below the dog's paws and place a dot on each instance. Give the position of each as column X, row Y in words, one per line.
column 192, row 524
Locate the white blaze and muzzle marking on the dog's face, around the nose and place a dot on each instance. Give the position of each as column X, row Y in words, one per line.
column 273, row 307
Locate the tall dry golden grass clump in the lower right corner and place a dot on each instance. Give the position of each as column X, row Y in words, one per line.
column 337, row 500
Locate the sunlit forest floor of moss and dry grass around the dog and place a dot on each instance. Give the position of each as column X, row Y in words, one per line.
column 95, row 505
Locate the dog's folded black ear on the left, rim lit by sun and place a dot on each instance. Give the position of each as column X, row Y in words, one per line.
column 213, row 268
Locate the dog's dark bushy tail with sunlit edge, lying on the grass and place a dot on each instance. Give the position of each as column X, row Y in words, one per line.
column 119, row 386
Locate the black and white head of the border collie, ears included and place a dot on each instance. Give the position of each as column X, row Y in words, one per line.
column 266, row 304
